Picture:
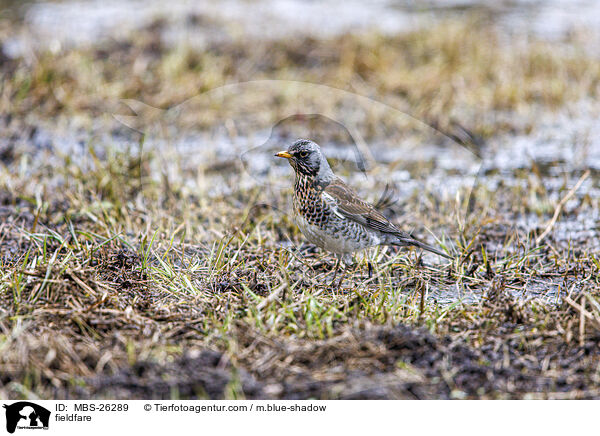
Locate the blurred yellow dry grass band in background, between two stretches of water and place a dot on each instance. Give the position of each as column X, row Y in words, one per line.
column 459, row 70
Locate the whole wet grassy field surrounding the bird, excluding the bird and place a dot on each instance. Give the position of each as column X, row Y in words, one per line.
column 151, row 253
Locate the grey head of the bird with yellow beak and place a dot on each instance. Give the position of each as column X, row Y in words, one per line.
column 306, row 158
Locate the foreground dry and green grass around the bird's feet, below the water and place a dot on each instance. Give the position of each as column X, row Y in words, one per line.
column 92, row 289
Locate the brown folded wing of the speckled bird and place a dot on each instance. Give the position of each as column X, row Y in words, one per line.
column 348, row 204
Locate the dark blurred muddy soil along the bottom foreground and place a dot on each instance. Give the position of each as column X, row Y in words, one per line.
column 369, row 362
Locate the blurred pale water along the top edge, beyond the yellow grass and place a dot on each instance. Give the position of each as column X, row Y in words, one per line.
column 56, row 25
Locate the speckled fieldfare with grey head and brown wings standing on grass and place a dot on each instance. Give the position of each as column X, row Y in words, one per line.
column 331, row 214
